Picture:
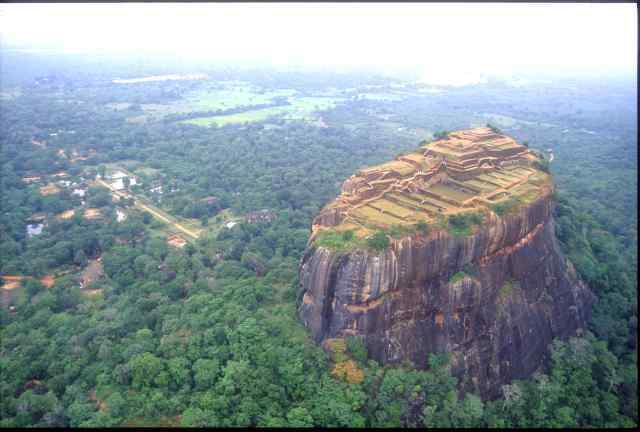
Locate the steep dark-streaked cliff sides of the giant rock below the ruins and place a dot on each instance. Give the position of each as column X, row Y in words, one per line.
column 518, row 294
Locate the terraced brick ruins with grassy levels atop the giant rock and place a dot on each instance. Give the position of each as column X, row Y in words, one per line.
column 469, row 169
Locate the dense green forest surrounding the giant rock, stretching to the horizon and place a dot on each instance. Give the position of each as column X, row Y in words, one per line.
column 207, row 334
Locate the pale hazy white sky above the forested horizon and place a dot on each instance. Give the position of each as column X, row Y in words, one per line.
column 443, row 40
